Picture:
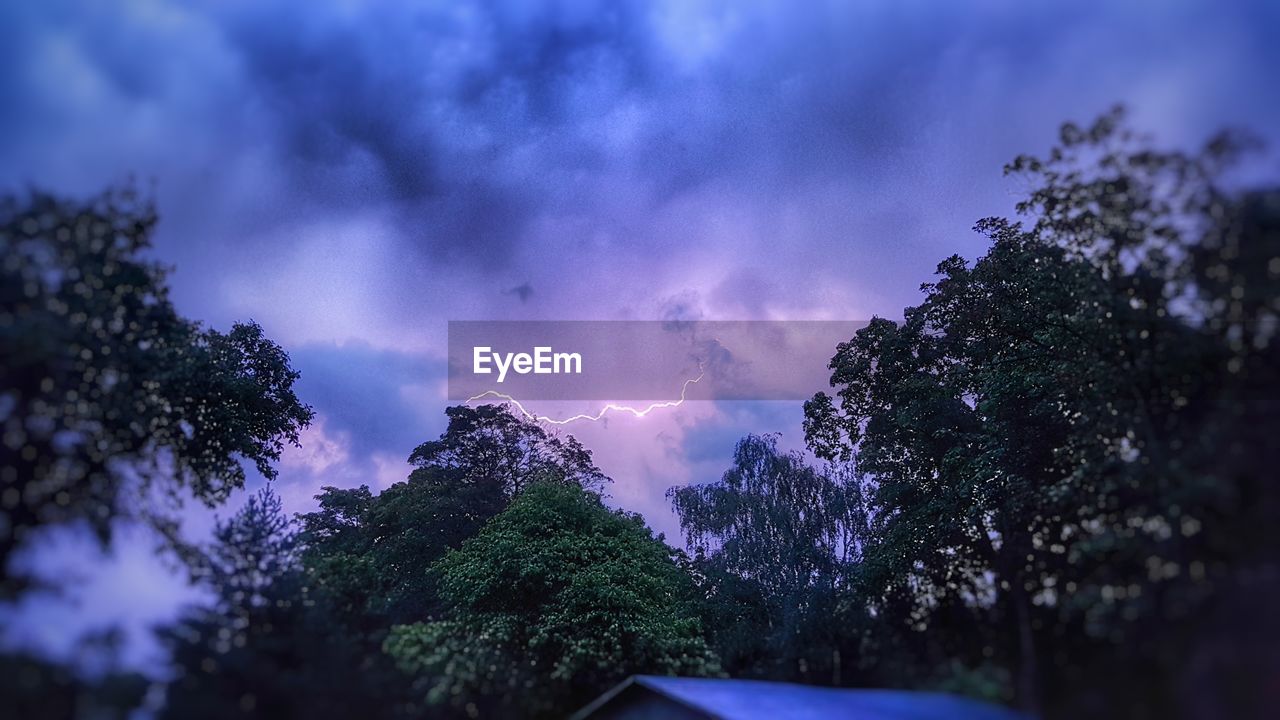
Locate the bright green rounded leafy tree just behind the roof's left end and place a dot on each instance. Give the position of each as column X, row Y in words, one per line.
column 556, row 600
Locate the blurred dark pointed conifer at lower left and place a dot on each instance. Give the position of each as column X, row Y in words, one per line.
column 268, row 645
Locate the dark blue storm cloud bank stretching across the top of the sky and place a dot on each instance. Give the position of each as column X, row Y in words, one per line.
column 470, row 122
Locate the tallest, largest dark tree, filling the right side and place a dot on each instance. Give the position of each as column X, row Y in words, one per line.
column 1072, row 443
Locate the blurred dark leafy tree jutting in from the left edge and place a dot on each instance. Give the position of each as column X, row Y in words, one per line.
column 102, row 380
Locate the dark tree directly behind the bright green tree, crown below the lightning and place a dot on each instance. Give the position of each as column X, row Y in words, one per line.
column 369, row 558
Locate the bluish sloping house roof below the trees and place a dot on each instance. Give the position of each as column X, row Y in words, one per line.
column 753, row 700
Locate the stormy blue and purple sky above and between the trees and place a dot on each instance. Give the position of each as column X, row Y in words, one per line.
column 355, row 175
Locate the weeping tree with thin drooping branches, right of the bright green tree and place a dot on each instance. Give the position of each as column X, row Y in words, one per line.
column 774, row 539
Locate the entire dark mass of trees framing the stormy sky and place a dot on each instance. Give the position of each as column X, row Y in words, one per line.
column 1048, row 485
